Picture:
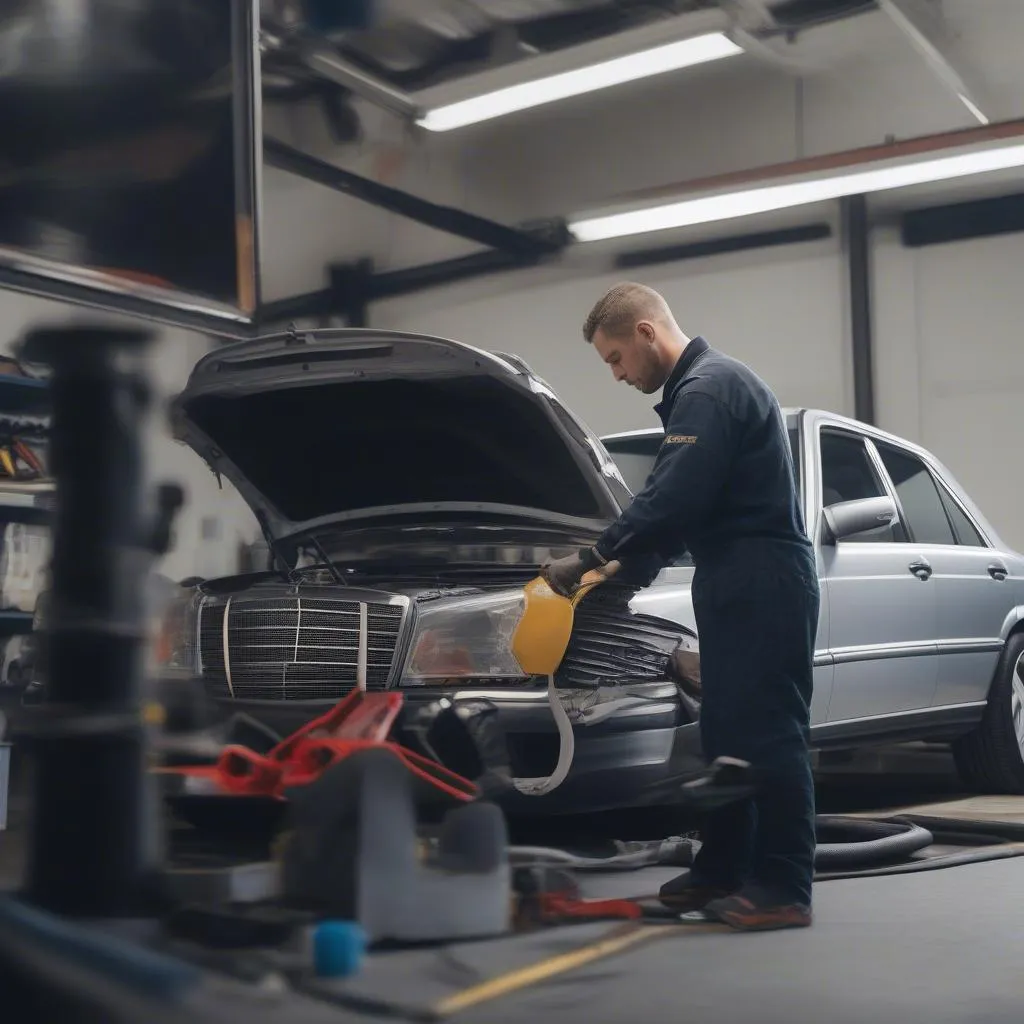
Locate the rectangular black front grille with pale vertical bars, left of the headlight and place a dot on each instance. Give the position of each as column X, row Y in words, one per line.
column 294, row 648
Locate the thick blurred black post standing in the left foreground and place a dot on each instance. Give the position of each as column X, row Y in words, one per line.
column 93, row 844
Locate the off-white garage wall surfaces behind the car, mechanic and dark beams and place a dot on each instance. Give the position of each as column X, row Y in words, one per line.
column 783, row 311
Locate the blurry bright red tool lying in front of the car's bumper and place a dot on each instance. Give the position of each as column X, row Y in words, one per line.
column 358, row 722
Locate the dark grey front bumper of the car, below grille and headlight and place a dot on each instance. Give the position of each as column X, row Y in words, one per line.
column 632, row 758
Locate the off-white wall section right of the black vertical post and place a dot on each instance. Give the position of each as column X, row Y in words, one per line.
column 951, row 363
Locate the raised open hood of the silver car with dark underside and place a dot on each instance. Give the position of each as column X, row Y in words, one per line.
column 320, row 428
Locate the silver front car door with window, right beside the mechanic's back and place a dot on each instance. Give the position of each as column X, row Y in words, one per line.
column 883, row 611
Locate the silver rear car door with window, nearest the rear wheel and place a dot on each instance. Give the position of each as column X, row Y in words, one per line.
column 971, row 579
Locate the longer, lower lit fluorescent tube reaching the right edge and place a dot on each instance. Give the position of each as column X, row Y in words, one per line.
column 764, row 199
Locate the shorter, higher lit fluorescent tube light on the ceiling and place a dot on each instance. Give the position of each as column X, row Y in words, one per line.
column 658, row 61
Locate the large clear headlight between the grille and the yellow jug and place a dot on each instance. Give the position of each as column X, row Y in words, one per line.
column 465, row 638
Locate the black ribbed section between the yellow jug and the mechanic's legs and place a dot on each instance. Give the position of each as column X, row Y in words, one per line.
column 612, row 645
